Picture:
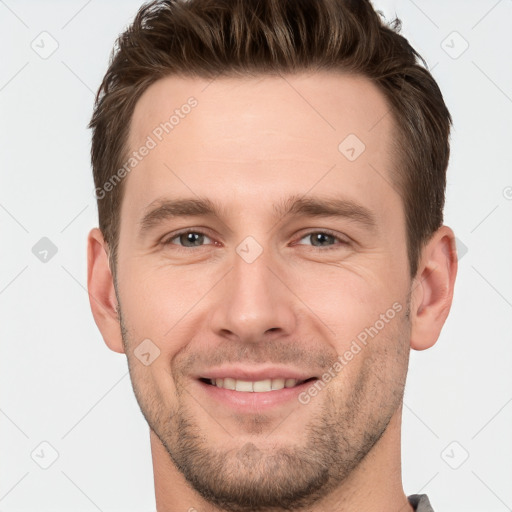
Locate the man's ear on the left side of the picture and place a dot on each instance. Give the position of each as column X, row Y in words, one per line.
column 102, row 297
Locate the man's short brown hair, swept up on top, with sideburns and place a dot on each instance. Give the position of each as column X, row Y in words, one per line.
column 208, row 38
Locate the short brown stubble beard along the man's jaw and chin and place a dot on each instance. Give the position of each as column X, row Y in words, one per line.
column 252, row 478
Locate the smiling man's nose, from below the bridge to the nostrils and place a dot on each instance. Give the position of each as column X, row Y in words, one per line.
column 254, row 301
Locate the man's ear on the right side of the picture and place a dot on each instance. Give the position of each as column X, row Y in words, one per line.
column 432, row 289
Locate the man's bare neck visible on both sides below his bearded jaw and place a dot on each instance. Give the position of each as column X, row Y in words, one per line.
column 375, row 485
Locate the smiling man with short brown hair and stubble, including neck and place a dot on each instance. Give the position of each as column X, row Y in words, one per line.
column 270, row 179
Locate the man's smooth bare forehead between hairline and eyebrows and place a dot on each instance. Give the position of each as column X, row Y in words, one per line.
column 239, row 135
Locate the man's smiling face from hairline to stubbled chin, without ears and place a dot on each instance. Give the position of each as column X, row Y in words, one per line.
column 261, row 290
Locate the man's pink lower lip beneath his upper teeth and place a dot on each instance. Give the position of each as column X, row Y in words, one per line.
column 246, row 401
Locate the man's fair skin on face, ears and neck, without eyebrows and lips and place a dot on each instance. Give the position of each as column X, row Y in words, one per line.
column 248, row 144
